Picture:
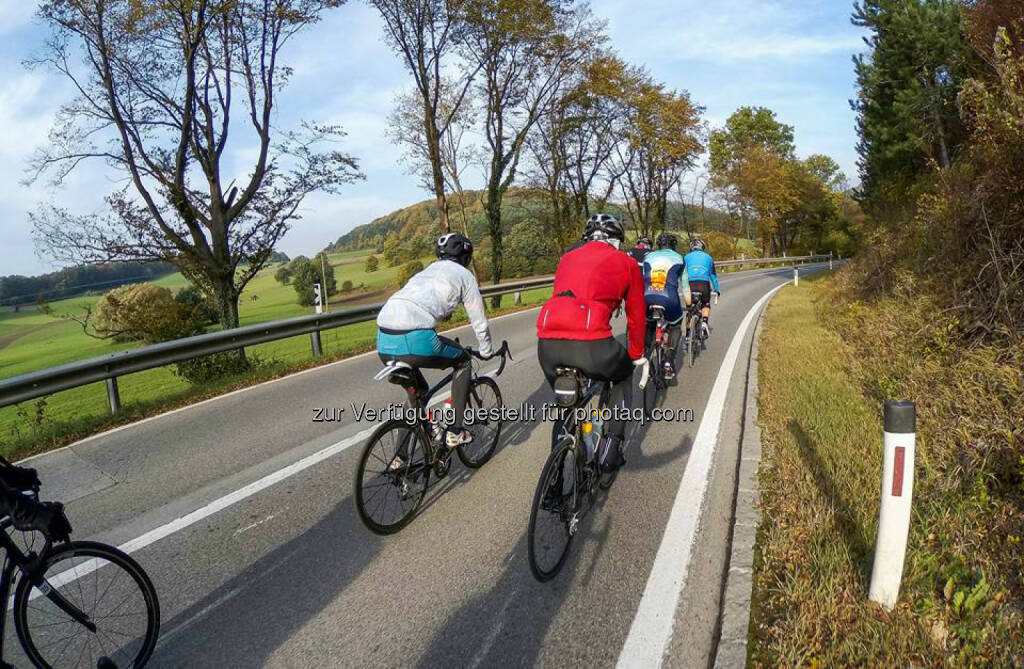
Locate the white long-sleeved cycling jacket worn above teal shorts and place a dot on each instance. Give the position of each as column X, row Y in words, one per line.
column 434, row 296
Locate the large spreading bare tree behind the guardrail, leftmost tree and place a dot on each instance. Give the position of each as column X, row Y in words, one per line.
column 157, row 86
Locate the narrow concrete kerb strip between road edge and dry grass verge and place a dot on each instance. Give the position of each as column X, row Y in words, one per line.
column 736, row 611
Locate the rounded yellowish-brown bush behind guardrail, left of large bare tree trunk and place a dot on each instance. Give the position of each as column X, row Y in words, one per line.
column 146, row 313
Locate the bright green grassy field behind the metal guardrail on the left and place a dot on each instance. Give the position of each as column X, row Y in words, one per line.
column 32, row 341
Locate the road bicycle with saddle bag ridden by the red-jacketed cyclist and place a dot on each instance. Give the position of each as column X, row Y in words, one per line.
column 572, row 476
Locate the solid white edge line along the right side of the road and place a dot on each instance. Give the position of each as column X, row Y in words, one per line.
column 652, row 631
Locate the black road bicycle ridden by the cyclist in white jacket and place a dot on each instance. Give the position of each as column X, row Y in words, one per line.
column 389, row 496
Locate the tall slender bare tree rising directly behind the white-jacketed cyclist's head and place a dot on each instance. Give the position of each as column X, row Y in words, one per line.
column 425, row 34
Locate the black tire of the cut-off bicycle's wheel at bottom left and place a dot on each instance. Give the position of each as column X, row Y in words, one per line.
column 114, row 557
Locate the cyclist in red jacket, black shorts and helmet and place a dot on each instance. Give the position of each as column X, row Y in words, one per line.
column 575, row 326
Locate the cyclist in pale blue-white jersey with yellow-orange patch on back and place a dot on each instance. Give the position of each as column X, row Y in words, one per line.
column 666, row 285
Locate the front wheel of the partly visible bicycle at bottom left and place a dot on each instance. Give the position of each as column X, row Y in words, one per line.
column 90, row 602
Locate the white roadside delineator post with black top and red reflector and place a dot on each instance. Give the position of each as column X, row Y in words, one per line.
column 898, row 490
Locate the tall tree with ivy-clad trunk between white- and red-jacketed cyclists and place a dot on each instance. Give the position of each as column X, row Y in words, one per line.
column 526, row 51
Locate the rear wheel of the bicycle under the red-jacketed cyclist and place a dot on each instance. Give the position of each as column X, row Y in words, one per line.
column 554, row 514
